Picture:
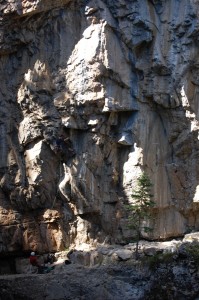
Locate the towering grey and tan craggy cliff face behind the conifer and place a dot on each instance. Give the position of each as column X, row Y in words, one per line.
column 92, row 93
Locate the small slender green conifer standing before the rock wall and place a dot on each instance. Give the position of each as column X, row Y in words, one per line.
column 140, row 208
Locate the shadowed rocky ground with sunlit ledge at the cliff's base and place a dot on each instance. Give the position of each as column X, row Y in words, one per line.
column 165, row 270
